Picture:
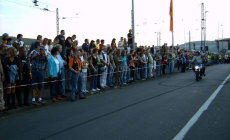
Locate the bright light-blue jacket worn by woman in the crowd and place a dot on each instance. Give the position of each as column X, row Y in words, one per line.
column 52, row 67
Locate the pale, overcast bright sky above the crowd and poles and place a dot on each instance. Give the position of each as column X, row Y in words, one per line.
column 108, row 19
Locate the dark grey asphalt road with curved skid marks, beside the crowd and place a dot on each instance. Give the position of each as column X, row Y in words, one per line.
column 150, row 110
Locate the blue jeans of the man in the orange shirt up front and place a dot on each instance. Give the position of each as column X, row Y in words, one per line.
column 76, row 85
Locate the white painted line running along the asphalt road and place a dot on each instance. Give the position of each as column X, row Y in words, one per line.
column 196, row 116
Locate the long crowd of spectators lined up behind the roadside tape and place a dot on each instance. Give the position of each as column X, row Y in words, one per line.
column 67, row 67
